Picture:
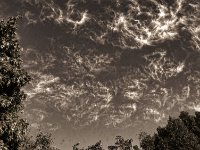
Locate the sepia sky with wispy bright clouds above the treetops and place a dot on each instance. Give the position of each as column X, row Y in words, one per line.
column 102, row 68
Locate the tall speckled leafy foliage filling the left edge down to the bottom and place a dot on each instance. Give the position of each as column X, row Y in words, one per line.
column 13, row 129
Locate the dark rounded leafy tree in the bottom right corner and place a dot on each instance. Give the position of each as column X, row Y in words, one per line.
column 179, row 134
